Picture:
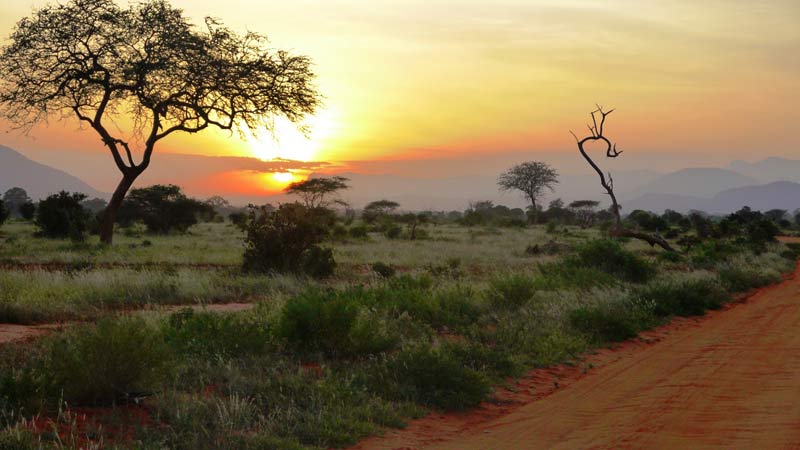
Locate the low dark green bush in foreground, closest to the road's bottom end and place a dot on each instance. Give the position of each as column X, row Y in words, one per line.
column 437, row 378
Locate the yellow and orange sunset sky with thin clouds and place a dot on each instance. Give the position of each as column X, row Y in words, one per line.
column 424, row 79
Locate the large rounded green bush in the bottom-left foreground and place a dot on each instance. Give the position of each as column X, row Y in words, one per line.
column 115, row 360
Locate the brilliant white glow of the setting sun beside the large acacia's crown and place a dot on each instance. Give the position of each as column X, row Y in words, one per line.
column 288, row 142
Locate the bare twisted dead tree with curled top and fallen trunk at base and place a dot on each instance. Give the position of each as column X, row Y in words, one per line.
column 597, row 128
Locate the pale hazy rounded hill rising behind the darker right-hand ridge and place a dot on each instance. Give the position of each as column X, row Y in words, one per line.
column 695, row 182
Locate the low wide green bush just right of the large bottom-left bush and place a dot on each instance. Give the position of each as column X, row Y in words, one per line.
column 188, row 331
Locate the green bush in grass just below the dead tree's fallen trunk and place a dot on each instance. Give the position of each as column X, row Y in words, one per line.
column 610, row 257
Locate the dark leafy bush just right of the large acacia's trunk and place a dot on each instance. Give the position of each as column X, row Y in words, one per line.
column 162, row 208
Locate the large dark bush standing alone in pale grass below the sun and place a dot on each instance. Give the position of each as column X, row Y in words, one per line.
column 286, row 239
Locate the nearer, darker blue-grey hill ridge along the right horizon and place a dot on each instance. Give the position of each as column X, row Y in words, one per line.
column 778, row 195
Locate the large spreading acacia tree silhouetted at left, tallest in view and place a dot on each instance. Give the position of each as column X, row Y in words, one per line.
column 138, row 75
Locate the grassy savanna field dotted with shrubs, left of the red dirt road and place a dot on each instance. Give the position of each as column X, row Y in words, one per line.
column 320, row 364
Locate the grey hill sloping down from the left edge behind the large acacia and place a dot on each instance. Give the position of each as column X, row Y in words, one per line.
column 37, row 179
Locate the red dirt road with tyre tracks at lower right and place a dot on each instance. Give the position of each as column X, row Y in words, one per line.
column 730, row 380
